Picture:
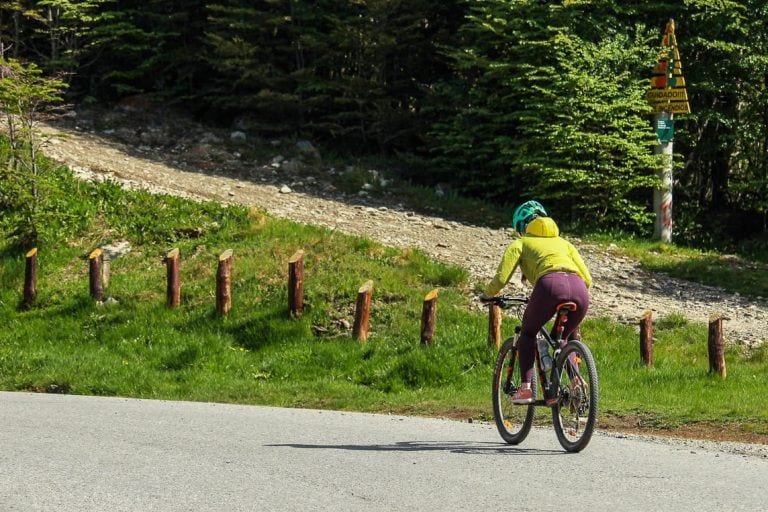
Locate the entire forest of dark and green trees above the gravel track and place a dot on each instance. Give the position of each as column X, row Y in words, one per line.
column 503, row 100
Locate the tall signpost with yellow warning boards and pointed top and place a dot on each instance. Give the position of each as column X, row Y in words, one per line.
column 667, row 96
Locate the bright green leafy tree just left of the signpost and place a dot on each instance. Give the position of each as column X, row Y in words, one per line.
column 565, row 119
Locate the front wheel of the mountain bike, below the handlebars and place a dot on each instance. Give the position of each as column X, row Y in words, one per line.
column 513, row 421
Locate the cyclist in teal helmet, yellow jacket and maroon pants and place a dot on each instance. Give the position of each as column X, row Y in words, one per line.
column 558, row 274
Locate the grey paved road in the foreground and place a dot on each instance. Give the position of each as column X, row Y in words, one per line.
column 70, row 453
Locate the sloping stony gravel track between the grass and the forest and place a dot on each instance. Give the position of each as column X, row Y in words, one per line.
column 183, row 158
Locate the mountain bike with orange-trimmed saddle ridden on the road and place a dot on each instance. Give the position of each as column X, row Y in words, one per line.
column 570, row 387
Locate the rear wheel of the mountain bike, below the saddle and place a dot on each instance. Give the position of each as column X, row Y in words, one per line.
column 575, row 414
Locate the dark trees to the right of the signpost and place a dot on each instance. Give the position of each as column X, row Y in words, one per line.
column 722, row 181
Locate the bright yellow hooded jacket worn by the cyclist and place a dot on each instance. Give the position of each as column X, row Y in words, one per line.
column 539, row 252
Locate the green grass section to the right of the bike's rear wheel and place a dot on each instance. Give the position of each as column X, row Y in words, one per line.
column 678, row 389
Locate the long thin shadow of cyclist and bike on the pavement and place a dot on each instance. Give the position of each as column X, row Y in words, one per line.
column 458, row 447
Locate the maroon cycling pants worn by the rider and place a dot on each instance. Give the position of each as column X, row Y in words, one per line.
column 550, row 290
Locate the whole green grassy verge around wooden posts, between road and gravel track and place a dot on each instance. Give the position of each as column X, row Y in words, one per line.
column 260, row 355
